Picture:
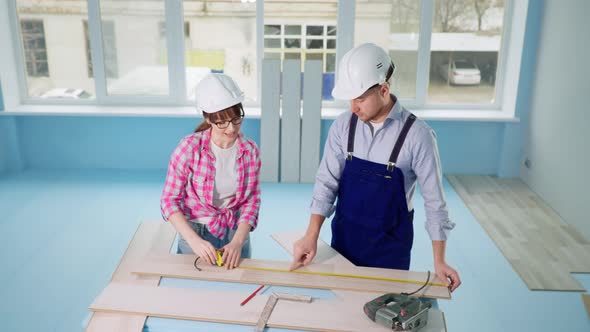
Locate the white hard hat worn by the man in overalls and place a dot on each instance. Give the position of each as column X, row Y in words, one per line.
column 360, row 69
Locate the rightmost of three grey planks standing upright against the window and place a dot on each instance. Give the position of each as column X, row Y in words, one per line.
column 311, row 123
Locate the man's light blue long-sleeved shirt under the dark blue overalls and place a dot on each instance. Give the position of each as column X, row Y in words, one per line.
column 418, row 160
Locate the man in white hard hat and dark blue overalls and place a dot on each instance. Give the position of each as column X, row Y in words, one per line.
column 372, row 167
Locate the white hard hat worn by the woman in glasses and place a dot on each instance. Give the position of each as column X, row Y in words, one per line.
column 217, row 92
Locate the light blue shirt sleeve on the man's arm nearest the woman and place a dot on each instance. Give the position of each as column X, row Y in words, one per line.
column 328, row 175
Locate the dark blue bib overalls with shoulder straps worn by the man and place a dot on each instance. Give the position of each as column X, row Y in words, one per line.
column 372, row 226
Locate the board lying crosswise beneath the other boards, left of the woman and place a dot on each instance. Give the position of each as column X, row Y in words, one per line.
column 156, row 237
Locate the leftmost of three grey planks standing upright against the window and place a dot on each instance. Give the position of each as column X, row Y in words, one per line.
column 270, row 120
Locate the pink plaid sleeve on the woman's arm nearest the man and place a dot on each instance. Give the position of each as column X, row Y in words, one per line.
column 249, row 210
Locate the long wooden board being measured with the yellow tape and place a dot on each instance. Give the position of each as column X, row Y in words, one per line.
column 181, row 266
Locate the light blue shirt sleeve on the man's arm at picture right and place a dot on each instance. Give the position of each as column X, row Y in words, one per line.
column 426, row 164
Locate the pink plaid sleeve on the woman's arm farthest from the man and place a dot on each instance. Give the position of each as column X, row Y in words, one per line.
column 173, row 194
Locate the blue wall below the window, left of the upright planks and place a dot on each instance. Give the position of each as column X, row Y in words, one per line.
column 106, row 142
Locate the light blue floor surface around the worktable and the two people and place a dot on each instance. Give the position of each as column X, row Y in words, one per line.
column 64, row 233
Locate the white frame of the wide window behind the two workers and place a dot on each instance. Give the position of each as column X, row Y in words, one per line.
column 12, row 65
